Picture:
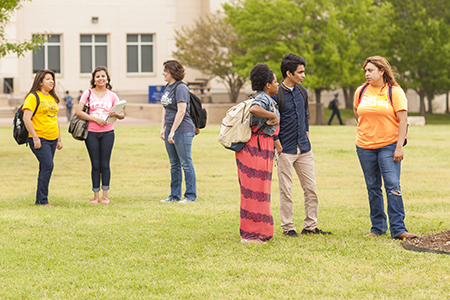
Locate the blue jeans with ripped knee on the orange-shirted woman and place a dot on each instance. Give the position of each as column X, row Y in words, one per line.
column 377, row 163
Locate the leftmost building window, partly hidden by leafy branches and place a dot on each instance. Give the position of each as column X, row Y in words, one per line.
column 49, row 55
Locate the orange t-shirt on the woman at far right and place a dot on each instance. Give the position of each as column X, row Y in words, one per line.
column 378, row 122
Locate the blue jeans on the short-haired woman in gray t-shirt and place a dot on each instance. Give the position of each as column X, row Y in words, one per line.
column 180, row 156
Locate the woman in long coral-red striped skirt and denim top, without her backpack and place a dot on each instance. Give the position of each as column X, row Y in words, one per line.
column 256, row 225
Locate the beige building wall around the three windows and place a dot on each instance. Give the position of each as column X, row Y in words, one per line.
column 116, row 19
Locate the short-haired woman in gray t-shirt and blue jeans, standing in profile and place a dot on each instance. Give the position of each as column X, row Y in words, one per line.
column 177, row 132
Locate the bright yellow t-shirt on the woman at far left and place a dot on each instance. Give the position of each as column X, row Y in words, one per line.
column 45, row 122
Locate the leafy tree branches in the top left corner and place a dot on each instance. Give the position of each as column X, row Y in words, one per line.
column 7, row 8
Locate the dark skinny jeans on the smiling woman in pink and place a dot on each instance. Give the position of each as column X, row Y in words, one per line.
column 99, row 146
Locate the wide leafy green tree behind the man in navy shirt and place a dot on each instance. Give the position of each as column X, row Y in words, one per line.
column 334, row 36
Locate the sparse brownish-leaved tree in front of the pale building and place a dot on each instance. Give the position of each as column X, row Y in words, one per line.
column 209, row 46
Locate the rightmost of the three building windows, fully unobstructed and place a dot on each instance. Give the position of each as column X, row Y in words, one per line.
column 139, row 53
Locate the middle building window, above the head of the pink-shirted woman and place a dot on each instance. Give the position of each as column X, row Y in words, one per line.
column 93, row 52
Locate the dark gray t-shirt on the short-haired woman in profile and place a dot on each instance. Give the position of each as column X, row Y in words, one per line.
column 169, row 102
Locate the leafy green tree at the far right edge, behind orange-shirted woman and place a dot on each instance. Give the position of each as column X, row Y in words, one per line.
column 421, row 47
